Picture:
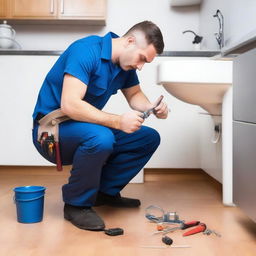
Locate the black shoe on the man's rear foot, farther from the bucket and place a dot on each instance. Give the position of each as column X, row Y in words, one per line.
column 116, row 201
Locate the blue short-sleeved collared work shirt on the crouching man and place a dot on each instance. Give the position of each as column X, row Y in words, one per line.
column 89, row 60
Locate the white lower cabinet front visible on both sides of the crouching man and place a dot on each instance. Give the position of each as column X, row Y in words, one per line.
column 20, row 80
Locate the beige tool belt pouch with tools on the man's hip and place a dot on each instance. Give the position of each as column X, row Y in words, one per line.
column 48, row 134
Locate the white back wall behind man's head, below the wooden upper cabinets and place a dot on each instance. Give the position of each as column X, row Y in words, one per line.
column 121, row 15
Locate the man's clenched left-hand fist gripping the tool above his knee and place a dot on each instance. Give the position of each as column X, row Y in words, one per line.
column 131, row 121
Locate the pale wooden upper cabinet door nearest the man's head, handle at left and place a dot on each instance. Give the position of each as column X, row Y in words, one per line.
column 82, row 9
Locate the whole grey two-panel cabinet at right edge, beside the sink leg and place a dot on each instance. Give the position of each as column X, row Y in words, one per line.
column 244, row 125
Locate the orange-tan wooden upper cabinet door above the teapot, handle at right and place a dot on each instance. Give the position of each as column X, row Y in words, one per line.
column 29, row 9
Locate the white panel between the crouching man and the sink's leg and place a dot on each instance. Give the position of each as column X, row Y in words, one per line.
column 179, row 133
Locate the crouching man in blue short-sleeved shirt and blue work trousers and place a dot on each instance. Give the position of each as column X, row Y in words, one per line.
column 105, row 150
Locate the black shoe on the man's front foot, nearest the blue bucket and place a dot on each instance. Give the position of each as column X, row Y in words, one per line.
column 83, row 217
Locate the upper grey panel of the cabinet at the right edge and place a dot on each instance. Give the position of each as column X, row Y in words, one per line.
column 244, row 87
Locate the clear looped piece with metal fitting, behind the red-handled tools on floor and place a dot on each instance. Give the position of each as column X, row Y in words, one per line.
column 168, row 217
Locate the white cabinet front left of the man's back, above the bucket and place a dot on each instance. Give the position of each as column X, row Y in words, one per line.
column 20, row 80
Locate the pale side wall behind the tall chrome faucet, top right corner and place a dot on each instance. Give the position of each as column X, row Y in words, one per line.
column 239, row 20
